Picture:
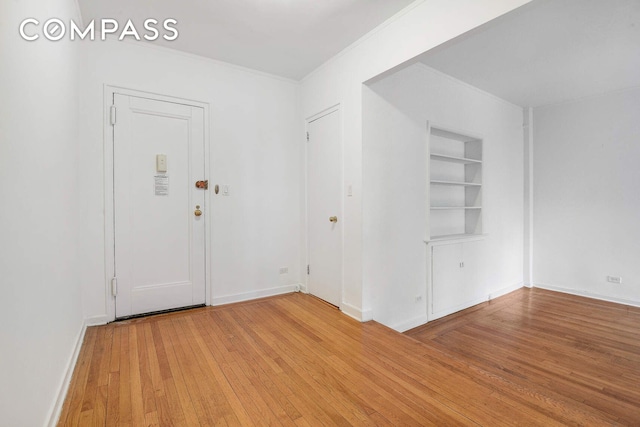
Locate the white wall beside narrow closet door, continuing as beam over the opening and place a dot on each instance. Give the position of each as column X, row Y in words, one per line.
column 420, row 27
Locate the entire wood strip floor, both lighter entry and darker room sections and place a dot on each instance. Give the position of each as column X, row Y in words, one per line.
column 530, row 358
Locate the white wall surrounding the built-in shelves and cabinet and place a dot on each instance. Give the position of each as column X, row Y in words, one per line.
column 395, row 113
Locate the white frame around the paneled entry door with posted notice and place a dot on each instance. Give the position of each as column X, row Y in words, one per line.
column 109, row 226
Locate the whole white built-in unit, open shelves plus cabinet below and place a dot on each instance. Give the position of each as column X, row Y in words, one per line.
column 454, row 219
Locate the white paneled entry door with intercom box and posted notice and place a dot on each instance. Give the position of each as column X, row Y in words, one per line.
column 158, row 155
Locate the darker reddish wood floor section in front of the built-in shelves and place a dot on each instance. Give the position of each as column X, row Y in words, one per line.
column 574, row 359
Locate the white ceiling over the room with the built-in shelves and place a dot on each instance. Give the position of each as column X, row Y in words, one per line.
column 549, row 51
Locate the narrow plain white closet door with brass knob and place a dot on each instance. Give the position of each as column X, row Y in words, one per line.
column 324, row 207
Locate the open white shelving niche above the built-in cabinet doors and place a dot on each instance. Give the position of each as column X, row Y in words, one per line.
column 455, row 185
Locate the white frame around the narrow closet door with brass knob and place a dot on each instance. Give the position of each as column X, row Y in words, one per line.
column 334, row 108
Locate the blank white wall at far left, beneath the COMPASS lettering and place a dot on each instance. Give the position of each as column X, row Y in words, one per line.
column 41, row 315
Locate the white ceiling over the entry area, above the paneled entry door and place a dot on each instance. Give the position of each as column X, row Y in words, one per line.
column 289, row 38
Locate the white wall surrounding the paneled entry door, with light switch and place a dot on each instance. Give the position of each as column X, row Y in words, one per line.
column 256, row 230
